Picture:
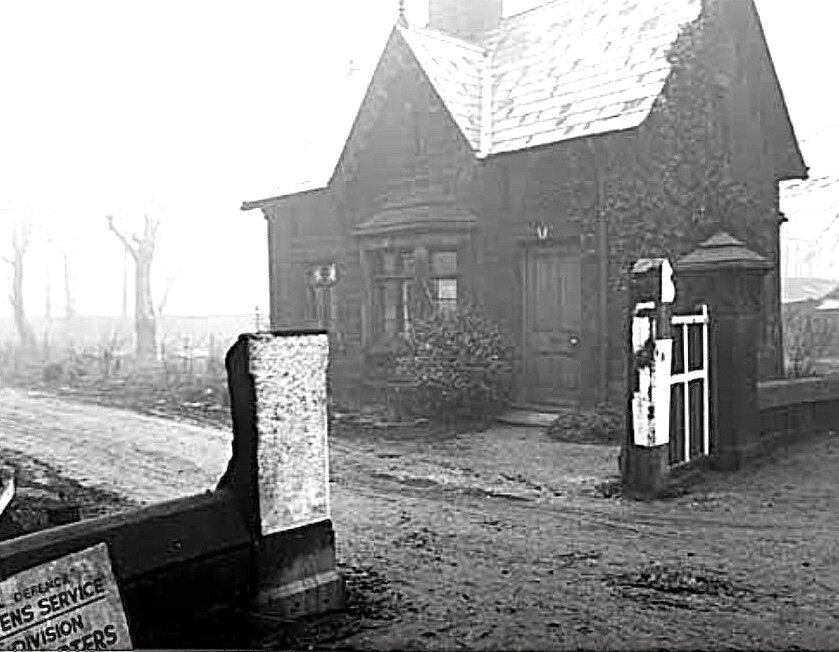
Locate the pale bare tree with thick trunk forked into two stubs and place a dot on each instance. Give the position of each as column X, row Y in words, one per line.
column 141, row 249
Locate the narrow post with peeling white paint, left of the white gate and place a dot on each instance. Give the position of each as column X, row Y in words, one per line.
column 645, row 454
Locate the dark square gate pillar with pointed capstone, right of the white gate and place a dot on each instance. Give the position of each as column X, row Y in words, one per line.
column 727, row 276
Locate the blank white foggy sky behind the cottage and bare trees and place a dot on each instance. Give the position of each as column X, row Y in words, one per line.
column 186, row 108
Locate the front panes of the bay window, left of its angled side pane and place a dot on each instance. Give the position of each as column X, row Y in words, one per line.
column 394, row 291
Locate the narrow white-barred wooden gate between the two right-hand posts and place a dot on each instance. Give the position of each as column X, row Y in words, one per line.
column 690, row 426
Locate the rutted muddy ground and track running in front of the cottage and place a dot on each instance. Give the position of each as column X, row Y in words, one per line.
column 500, row 539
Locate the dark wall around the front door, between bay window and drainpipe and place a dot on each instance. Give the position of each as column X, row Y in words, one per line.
column 555, row 187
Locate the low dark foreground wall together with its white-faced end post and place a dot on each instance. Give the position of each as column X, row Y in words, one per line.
column 190, row 570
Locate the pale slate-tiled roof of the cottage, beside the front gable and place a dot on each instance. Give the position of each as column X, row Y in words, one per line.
column 566, row 69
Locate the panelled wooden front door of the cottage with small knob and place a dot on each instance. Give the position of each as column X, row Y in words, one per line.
column 552, row 326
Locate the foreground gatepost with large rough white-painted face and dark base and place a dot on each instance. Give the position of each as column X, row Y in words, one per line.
column 280, row 469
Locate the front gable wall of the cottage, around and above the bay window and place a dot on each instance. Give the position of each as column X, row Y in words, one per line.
column 403, row 149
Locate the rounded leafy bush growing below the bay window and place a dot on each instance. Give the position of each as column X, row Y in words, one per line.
column 459, row 366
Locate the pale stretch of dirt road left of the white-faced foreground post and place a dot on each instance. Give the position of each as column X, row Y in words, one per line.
column 146, row 459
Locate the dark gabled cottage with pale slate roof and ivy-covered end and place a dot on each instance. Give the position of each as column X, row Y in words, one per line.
column 523, row 163
